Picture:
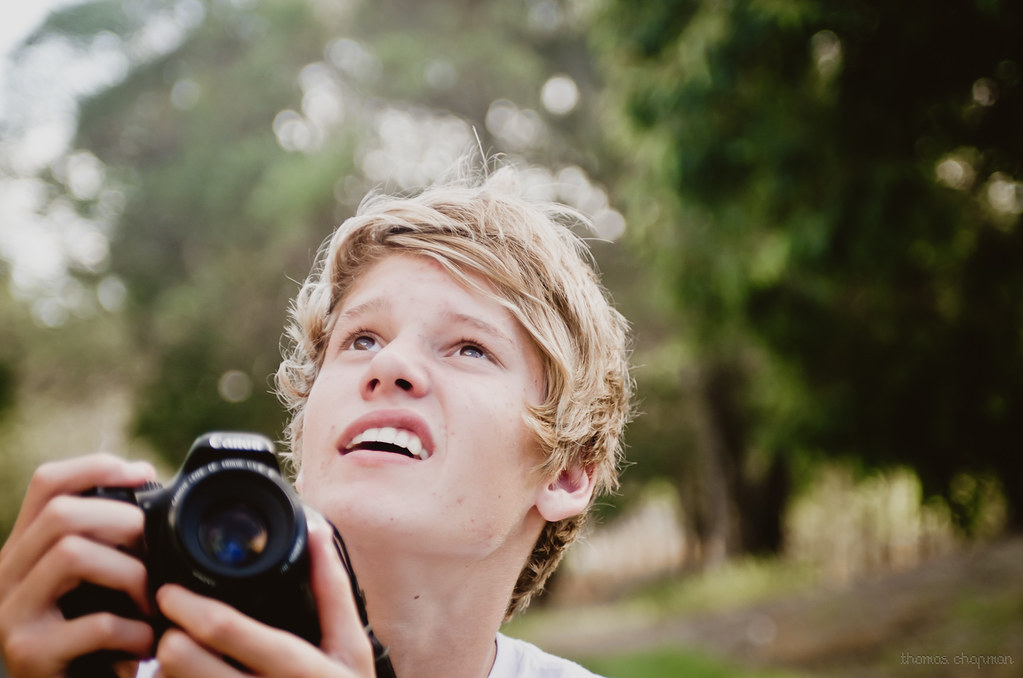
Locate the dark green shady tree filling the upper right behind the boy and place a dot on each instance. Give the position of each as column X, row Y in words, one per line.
column 832, row 191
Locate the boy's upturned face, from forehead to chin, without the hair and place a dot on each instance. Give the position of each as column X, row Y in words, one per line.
column 414, row 430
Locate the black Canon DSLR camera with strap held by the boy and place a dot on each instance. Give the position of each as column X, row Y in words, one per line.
column 228, row 527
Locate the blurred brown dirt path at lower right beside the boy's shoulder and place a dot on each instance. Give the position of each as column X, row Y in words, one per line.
column 961, row 615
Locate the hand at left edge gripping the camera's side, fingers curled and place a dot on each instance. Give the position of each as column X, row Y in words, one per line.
column 60, row 540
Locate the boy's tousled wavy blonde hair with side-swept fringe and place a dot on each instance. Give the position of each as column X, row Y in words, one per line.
column 539, row 268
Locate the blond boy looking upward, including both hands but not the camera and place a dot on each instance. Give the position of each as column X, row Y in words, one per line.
column 459, row 384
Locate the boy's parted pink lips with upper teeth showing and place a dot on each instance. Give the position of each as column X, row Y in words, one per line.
column 392, row 432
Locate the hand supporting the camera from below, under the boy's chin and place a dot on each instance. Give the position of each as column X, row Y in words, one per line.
column 209, row 630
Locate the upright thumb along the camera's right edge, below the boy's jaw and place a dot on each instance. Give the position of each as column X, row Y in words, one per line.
column 344, row 636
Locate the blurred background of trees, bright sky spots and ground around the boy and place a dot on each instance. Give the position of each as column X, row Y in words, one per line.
column 810, row 210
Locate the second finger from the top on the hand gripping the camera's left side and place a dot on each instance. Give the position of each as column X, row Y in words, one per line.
column 113, row 523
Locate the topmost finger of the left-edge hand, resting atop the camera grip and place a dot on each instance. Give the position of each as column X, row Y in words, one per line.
column 74, row 477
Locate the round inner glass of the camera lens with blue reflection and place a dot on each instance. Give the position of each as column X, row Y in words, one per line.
column 235, row 535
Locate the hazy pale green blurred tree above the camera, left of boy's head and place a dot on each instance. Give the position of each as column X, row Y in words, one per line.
column 212, row 219
